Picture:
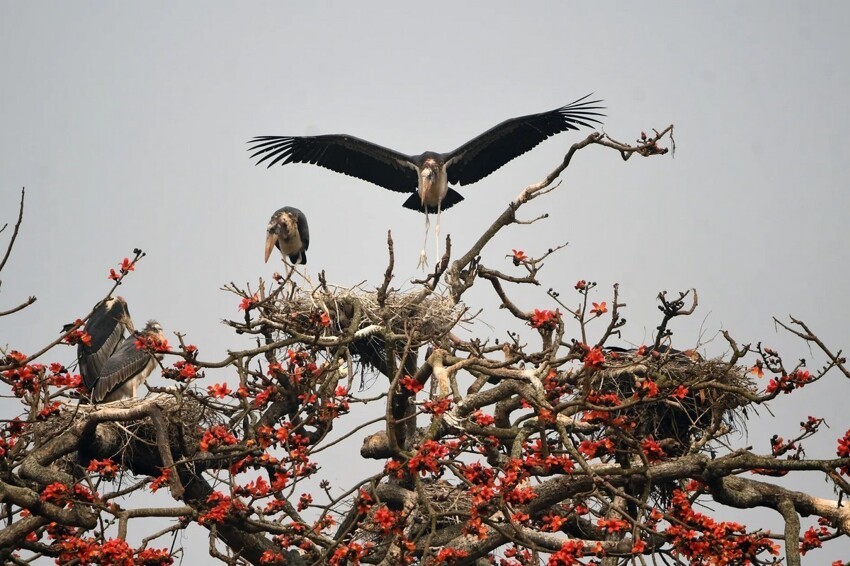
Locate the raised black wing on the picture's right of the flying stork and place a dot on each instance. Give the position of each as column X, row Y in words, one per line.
column 482, row 155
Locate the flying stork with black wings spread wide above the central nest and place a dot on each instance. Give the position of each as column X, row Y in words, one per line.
column 429, row 174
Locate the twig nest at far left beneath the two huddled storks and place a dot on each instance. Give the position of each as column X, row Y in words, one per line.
column 132, row 441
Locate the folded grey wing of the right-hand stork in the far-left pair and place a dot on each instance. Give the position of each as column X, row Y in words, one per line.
column 128, row 367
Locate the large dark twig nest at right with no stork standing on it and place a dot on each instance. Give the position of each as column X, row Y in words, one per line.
column 708, row 395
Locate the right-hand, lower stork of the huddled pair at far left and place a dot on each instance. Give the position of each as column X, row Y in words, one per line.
column 128, row 367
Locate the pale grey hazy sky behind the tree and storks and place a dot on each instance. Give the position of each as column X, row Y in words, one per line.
column 127, row 123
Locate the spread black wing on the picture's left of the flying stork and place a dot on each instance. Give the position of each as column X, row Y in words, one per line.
column 341, row 153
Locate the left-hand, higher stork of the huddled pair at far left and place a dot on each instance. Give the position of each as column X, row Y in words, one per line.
column 107, row 325
